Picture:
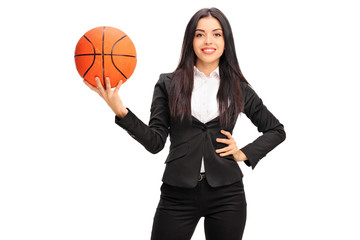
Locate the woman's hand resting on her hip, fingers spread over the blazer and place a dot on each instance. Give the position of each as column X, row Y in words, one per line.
column 231, row 149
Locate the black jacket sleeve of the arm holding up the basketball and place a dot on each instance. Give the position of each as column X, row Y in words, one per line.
column 152, row 136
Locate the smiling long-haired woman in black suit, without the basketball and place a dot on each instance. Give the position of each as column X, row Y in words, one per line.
column 198, row 105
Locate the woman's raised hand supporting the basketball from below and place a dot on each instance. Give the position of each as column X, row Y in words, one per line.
column 110, row 96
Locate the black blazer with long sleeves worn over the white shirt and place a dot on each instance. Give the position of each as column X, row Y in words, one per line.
column 189, row 142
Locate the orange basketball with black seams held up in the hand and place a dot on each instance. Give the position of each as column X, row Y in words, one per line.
column 105, row 52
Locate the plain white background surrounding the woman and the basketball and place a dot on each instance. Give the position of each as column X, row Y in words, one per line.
column 67, row 171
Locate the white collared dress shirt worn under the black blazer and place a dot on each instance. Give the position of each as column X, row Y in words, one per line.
column 204, row 104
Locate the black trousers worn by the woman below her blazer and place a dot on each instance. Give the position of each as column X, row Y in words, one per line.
column 180, row 209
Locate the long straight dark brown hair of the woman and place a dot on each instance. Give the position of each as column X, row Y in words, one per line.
column 229, row 95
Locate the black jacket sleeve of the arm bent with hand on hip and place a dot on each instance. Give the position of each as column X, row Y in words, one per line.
column 273, row 131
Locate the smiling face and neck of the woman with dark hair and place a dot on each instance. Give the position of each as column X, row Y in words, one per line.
column 208, row 42
